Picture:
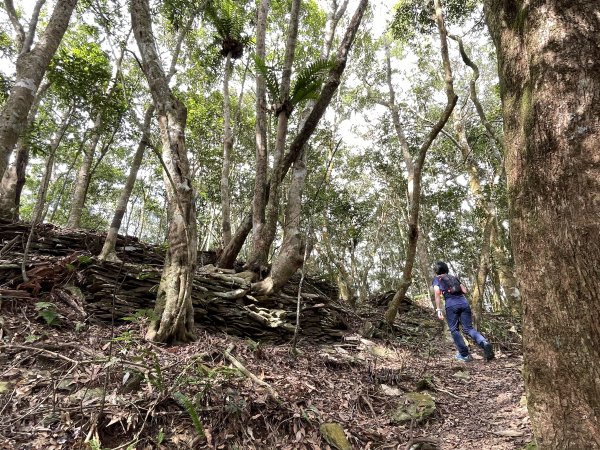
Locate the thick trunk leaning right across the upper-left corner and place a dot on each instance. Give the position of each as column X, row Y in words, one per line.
column 31, row 67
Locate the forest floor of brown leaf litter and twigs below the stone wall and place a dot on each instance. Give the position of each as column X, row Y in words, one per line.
column 60, row 386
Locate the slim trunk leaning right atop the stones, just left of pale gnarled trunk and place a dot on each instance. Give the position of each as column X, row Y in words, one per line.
column 108, row 250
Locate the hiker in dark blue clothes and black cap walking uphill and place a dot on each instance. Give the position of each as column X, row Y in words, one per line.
column 457, row 311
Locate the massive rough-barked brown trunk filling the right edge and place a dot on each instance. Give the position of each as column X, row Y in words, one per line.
column 549, row 67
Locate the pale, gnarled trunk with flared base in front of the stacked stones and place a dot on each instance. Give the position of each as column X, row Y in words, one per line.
column 173, row 302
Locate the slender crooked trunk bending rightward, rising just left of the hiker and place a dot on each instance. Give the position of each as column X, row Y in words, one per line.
column 415, row 192
